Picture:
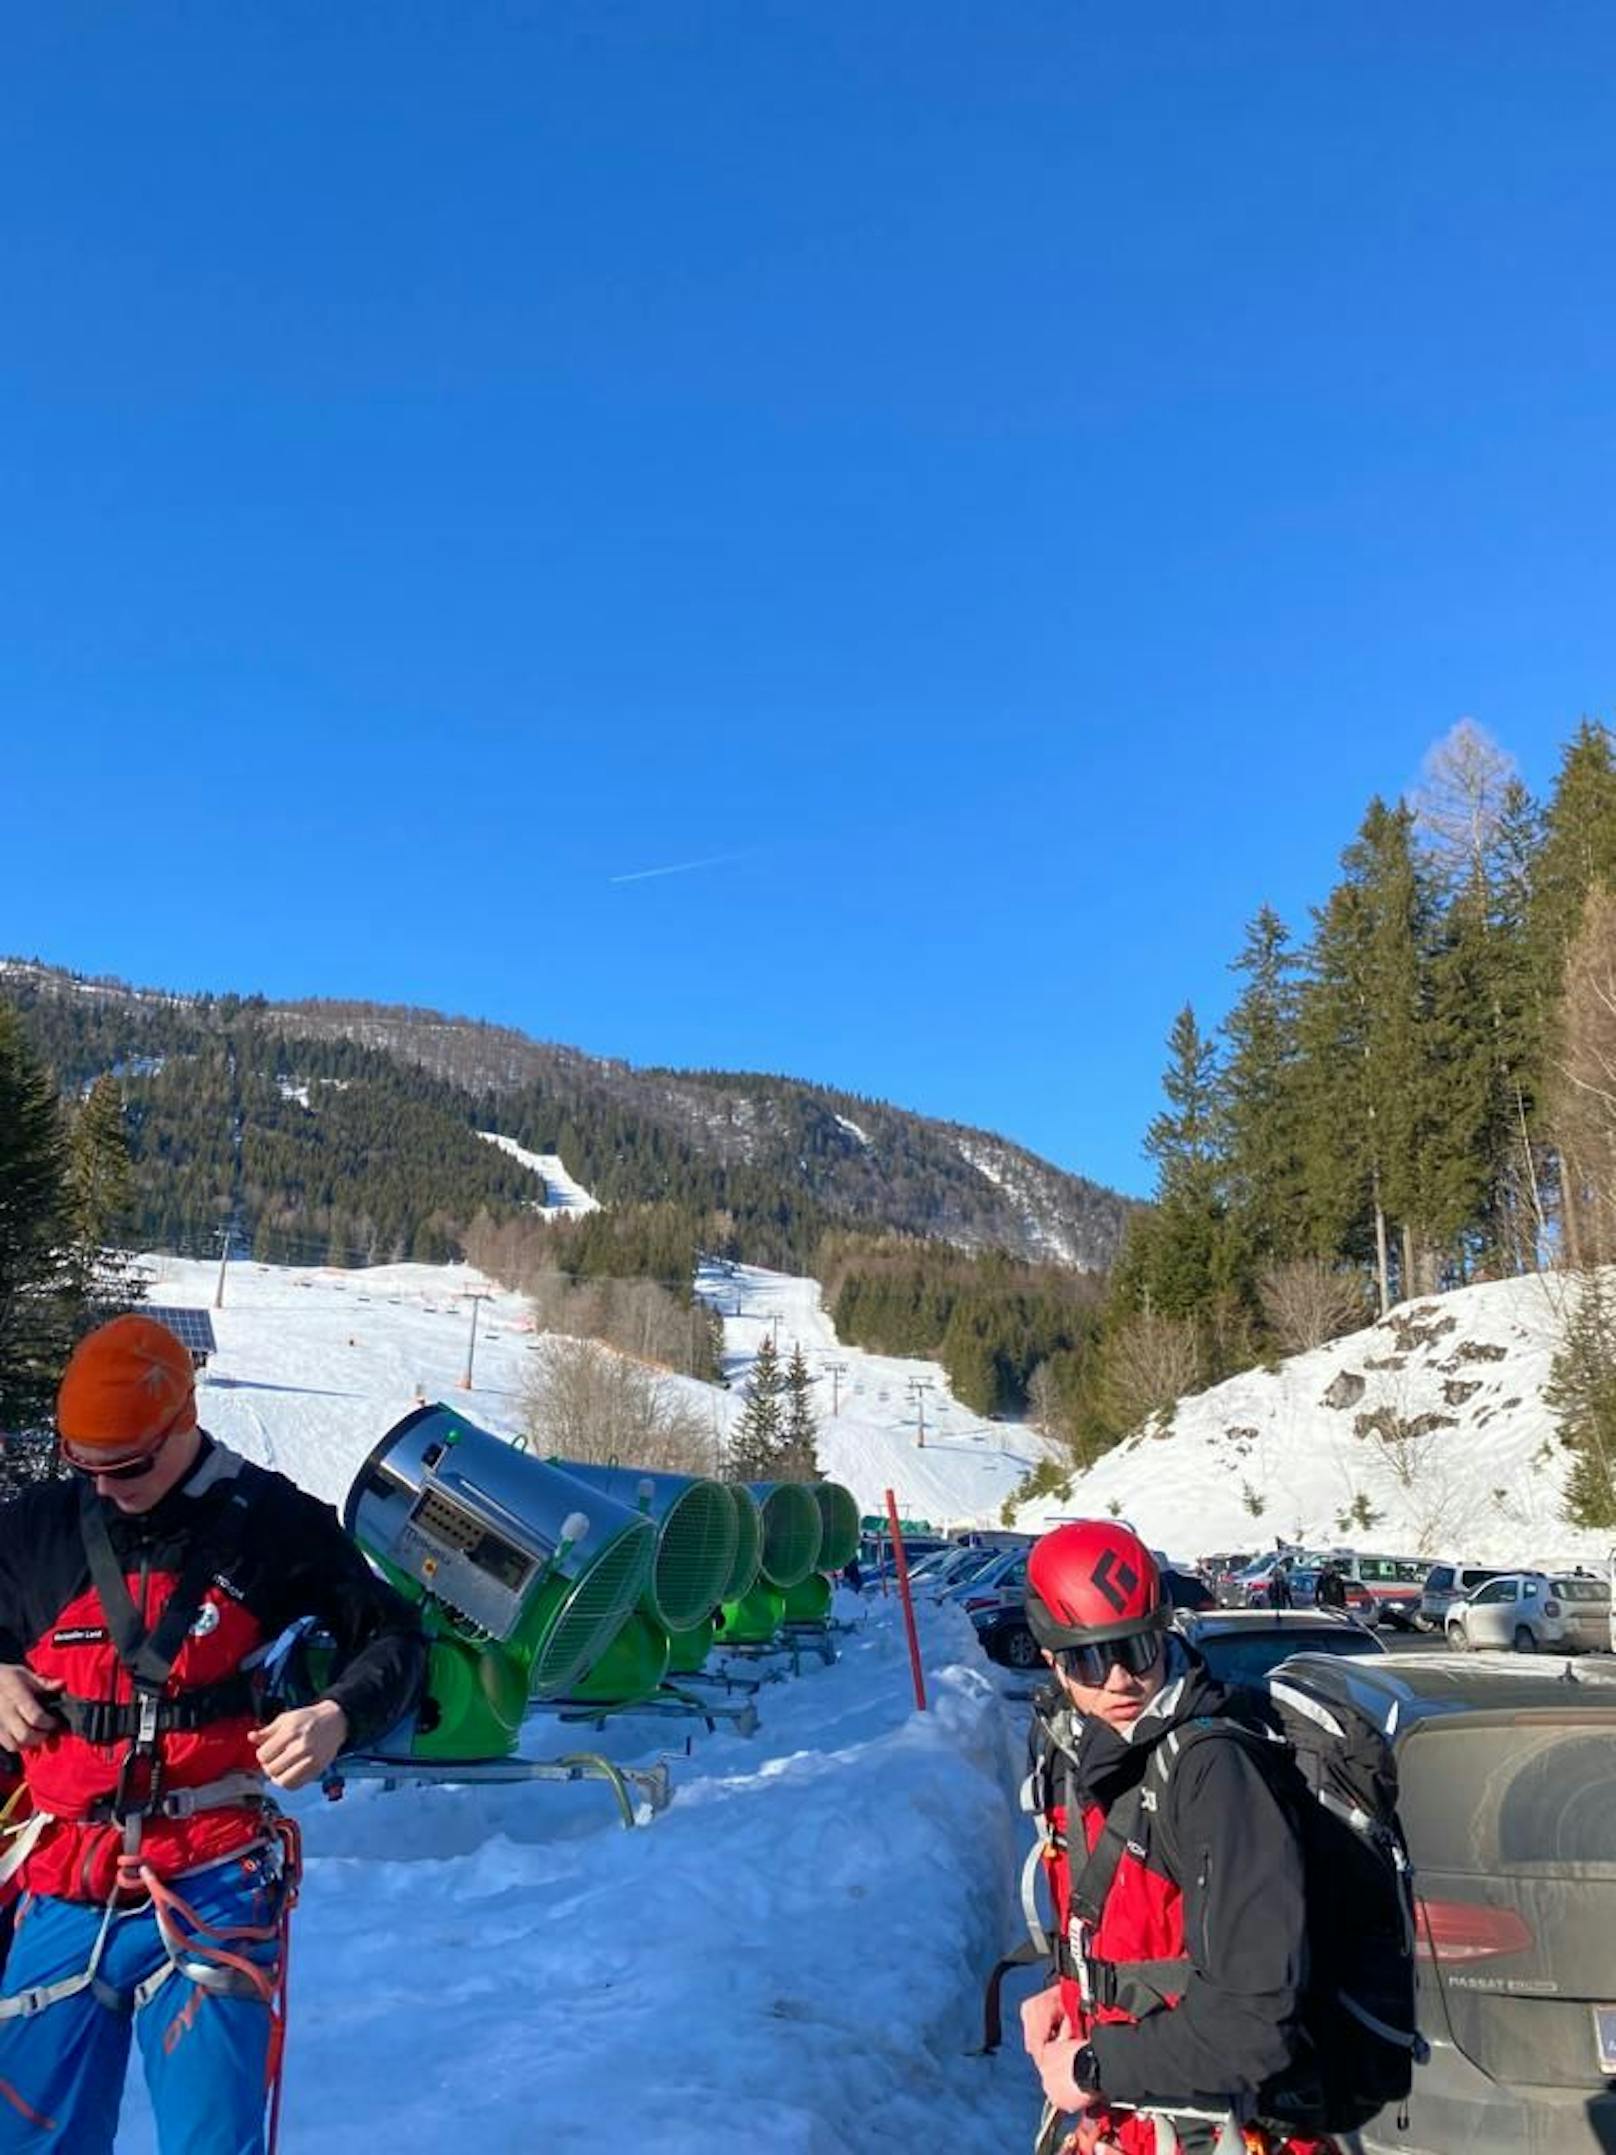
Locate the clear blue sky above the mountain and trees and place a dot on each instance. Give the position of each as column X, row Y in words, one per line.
column 1020, row 477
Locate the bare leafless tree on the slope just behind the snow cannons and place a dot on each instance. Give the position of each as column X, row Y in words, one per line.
column 585, row 1402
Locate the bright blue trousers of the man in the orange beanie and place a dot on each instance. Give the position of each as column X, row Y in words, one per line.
column 206, row 2055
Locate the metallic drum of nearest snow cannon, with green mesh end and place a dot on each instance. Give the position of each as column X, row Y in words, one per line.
column 510, row 1551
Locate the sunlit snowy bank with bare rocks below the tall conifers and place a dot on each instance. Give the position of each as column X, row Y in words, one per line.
column 1432, row 1423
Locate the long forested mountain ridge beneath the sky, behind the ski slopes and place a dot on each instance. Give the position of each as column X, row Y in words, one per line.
column 348, row 1135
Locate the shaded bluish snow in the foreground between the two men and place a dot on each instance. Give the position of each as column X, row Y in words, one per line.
column 790, row 1958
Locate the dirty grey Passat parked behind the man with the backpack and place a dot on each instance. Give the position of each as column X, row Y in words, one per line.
column 1507, row 1792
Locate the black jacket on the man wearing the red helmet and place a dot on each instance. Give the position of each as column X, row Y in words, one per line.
column 1225, row 1835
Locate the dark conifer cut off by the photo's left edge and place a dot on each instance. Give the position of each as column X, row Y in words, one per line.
column 36, row 1301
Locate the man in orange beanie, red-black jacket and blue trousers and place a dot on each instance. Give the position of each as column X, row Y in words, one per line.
column 135, row 1600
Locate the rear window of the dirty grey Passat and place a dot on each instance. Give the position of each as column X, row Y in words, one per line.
column 1486, row 1798
